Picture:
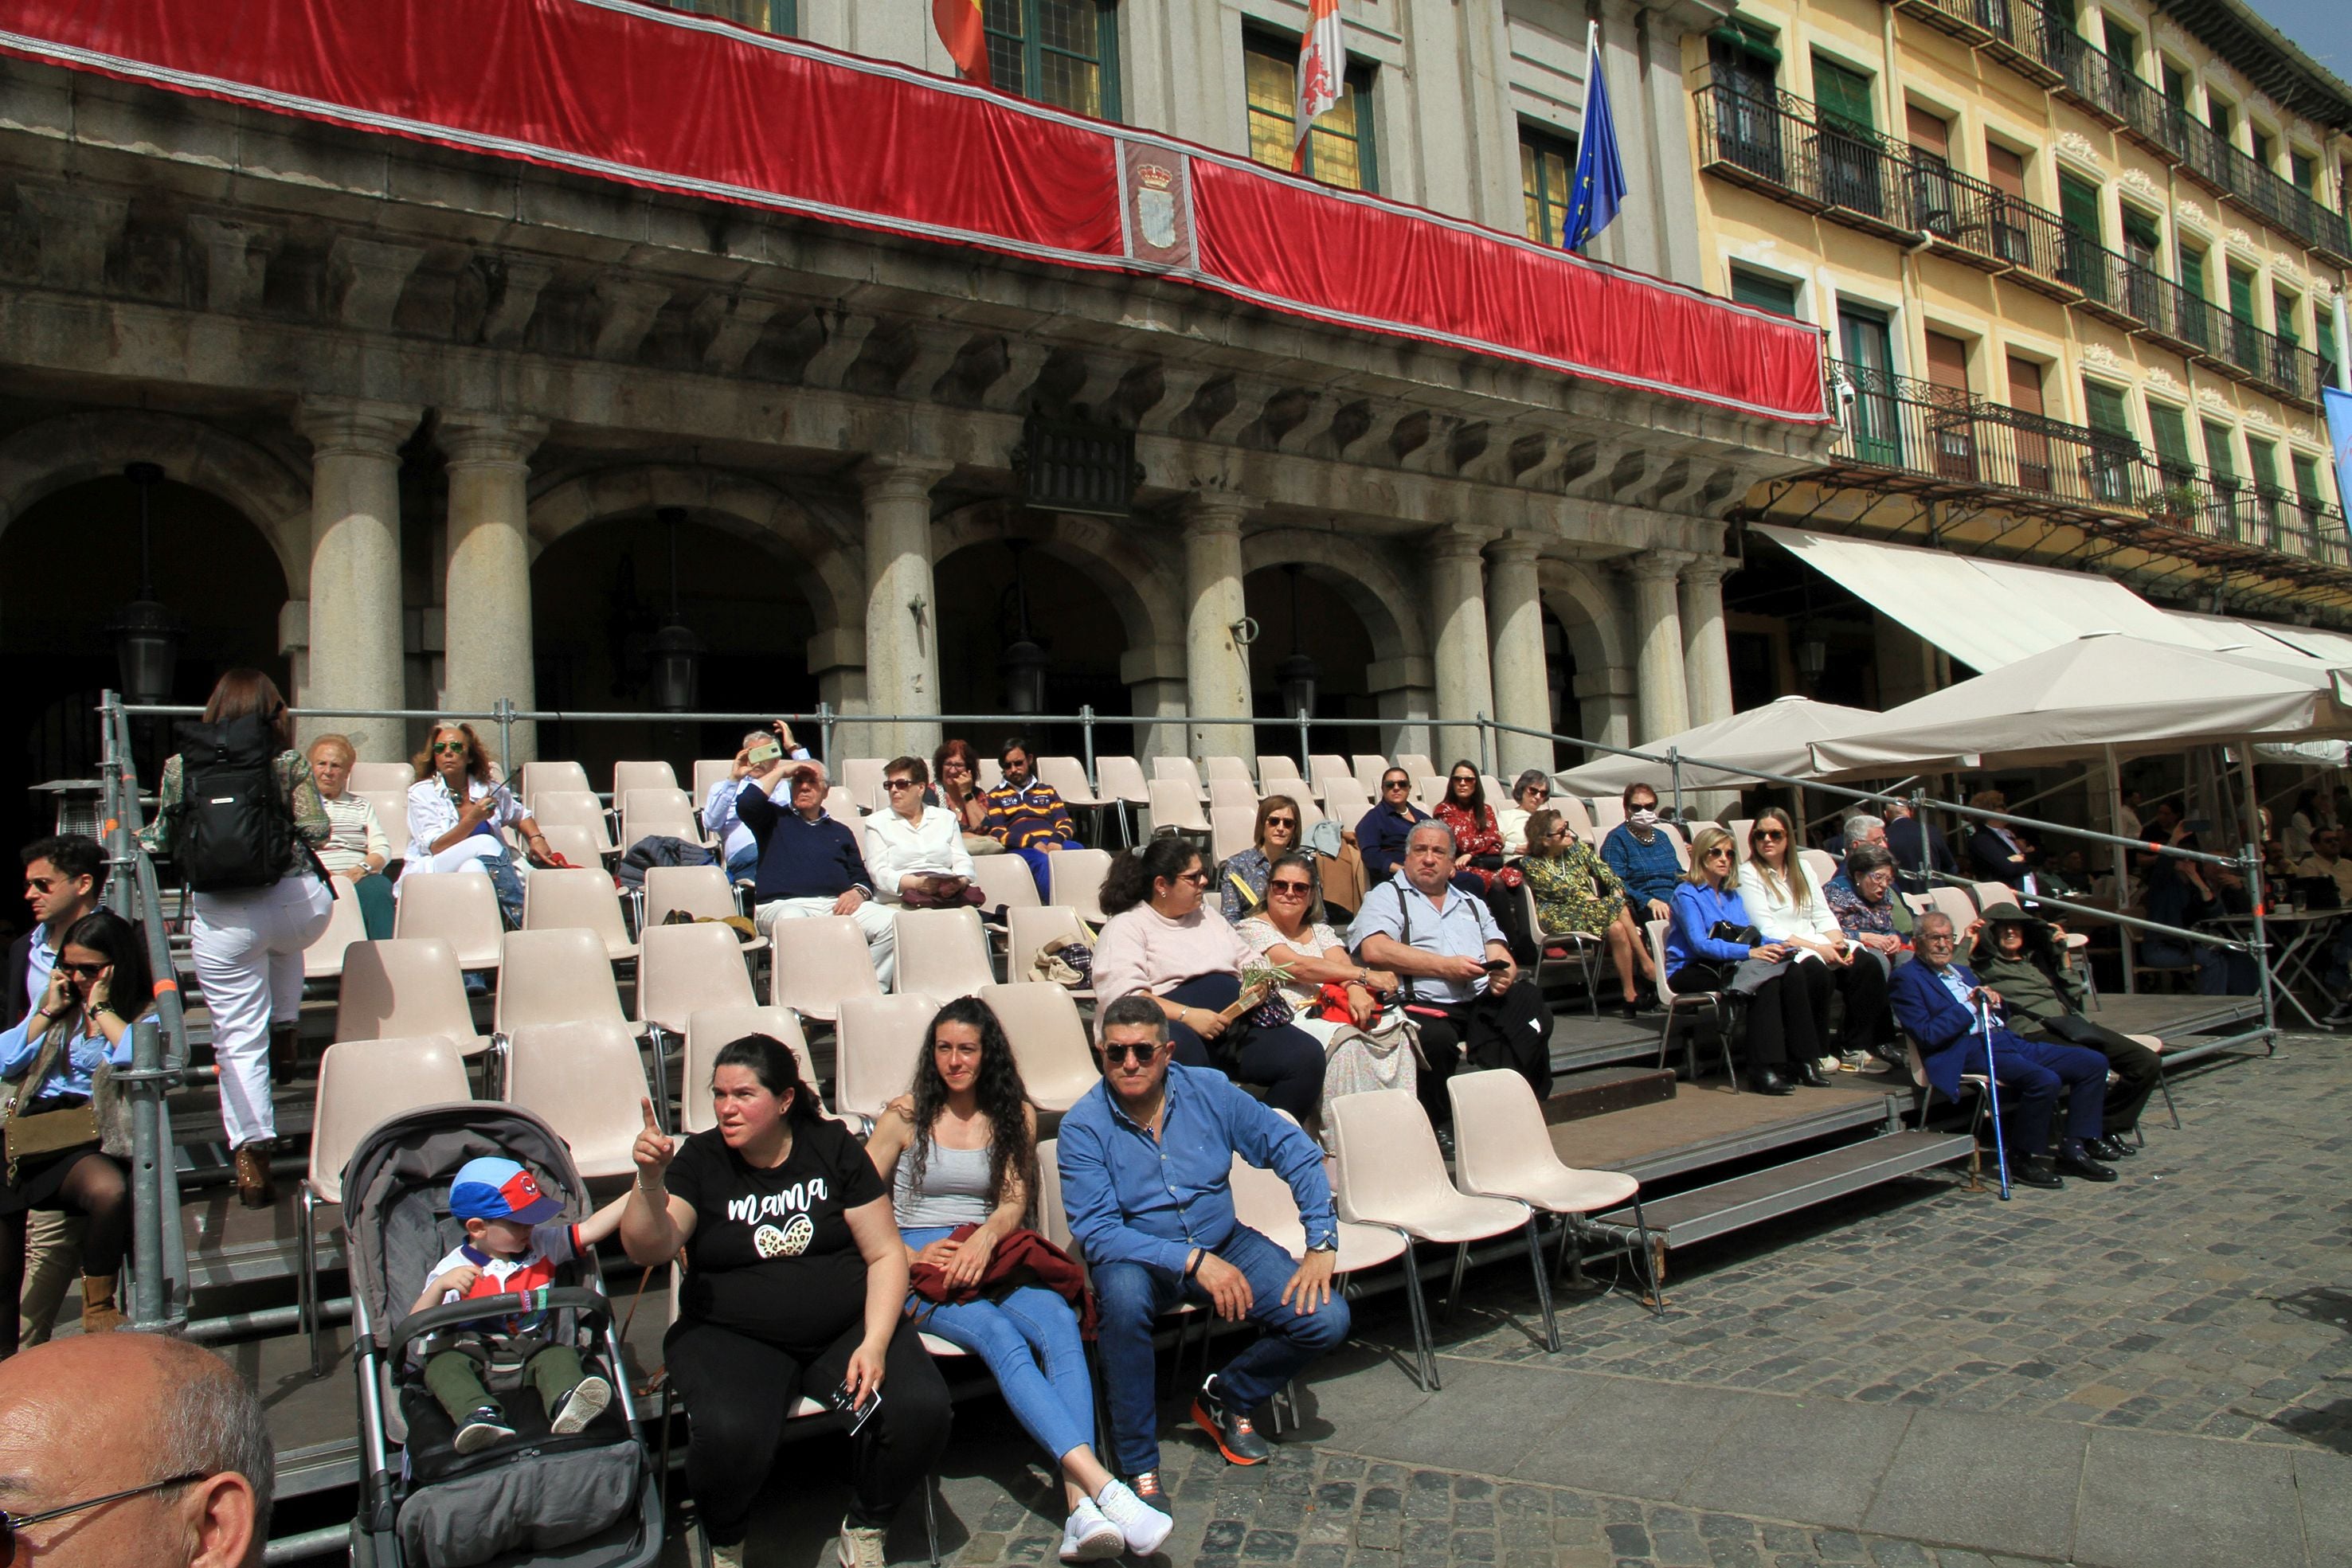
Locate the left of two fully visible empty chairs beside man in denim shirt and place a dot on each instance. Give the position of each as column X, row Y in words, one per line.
column 1389, row 1172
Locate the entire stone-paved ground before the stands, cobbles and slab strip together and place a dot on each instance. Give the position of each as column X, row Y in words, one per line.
column 2052, row 1343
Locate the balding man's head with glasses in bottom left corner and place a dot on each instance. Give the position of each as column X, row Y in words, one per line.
column 131, row 1449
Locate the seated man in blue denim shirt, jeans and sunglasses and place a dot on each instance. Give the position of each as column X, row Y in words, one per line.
column 1147, row 1162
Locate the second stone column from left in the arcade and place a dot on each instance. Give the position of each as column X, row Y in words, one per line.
column 488, row 619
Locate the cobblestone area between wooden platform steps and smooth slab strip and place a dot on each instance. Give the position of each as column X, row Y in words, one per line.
column 2207, row 1292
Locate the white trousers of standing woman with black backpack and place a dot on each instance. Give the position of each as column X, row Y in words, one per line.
column 248, row 958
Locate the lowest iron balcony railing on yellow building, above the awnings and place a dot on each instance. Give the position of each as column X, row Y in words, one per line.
column 1944, row 434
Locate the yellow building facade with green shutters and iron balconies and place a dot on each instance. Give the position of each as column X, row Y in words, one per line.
column 2078, row 269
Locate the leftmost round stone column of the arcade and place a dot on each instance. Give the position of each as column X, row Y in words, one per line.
column 354, row 615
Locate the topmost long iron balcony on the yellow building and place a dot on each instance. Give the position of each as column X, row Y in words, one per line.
column 2043, row 46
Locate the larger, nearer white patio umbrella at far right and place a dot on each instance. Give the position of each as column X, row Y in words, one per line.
column 2104, row 690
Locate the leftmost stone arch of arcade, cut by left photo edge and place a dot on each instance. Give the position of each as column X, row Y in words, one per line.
column 51, row 455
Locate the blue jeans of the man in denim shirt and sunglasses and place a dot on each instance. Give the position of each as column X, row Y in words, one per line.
column 1132, row 1294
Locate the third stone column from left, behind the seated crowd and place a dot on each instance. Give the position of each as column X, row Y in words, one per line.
column 902, row 605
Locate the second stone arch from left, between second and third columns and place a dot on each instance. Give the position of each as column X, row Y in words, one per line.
column 829, row 572
